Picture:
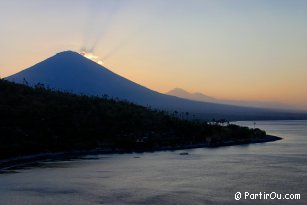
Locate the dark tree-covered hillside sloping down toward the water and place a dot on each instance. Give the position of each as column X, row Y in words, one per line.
column 36, row 120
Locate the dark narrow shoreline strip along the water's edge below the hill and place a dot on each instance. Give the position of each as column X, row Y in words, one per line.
column 18, row 162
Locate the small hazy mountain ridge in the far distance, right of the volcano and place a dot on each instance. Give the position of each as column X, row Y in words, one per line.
column 178, row 92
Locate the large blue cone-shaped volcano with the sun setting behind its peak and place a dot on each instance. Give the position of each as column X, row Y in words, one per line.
column 70, row 71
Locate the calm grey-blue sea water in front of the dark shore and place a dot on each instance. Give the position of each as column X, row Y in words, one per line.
column 205, row 176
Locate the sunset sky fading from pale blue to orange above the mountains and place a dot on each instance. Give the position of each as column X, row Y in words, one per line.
column 227, row 49
